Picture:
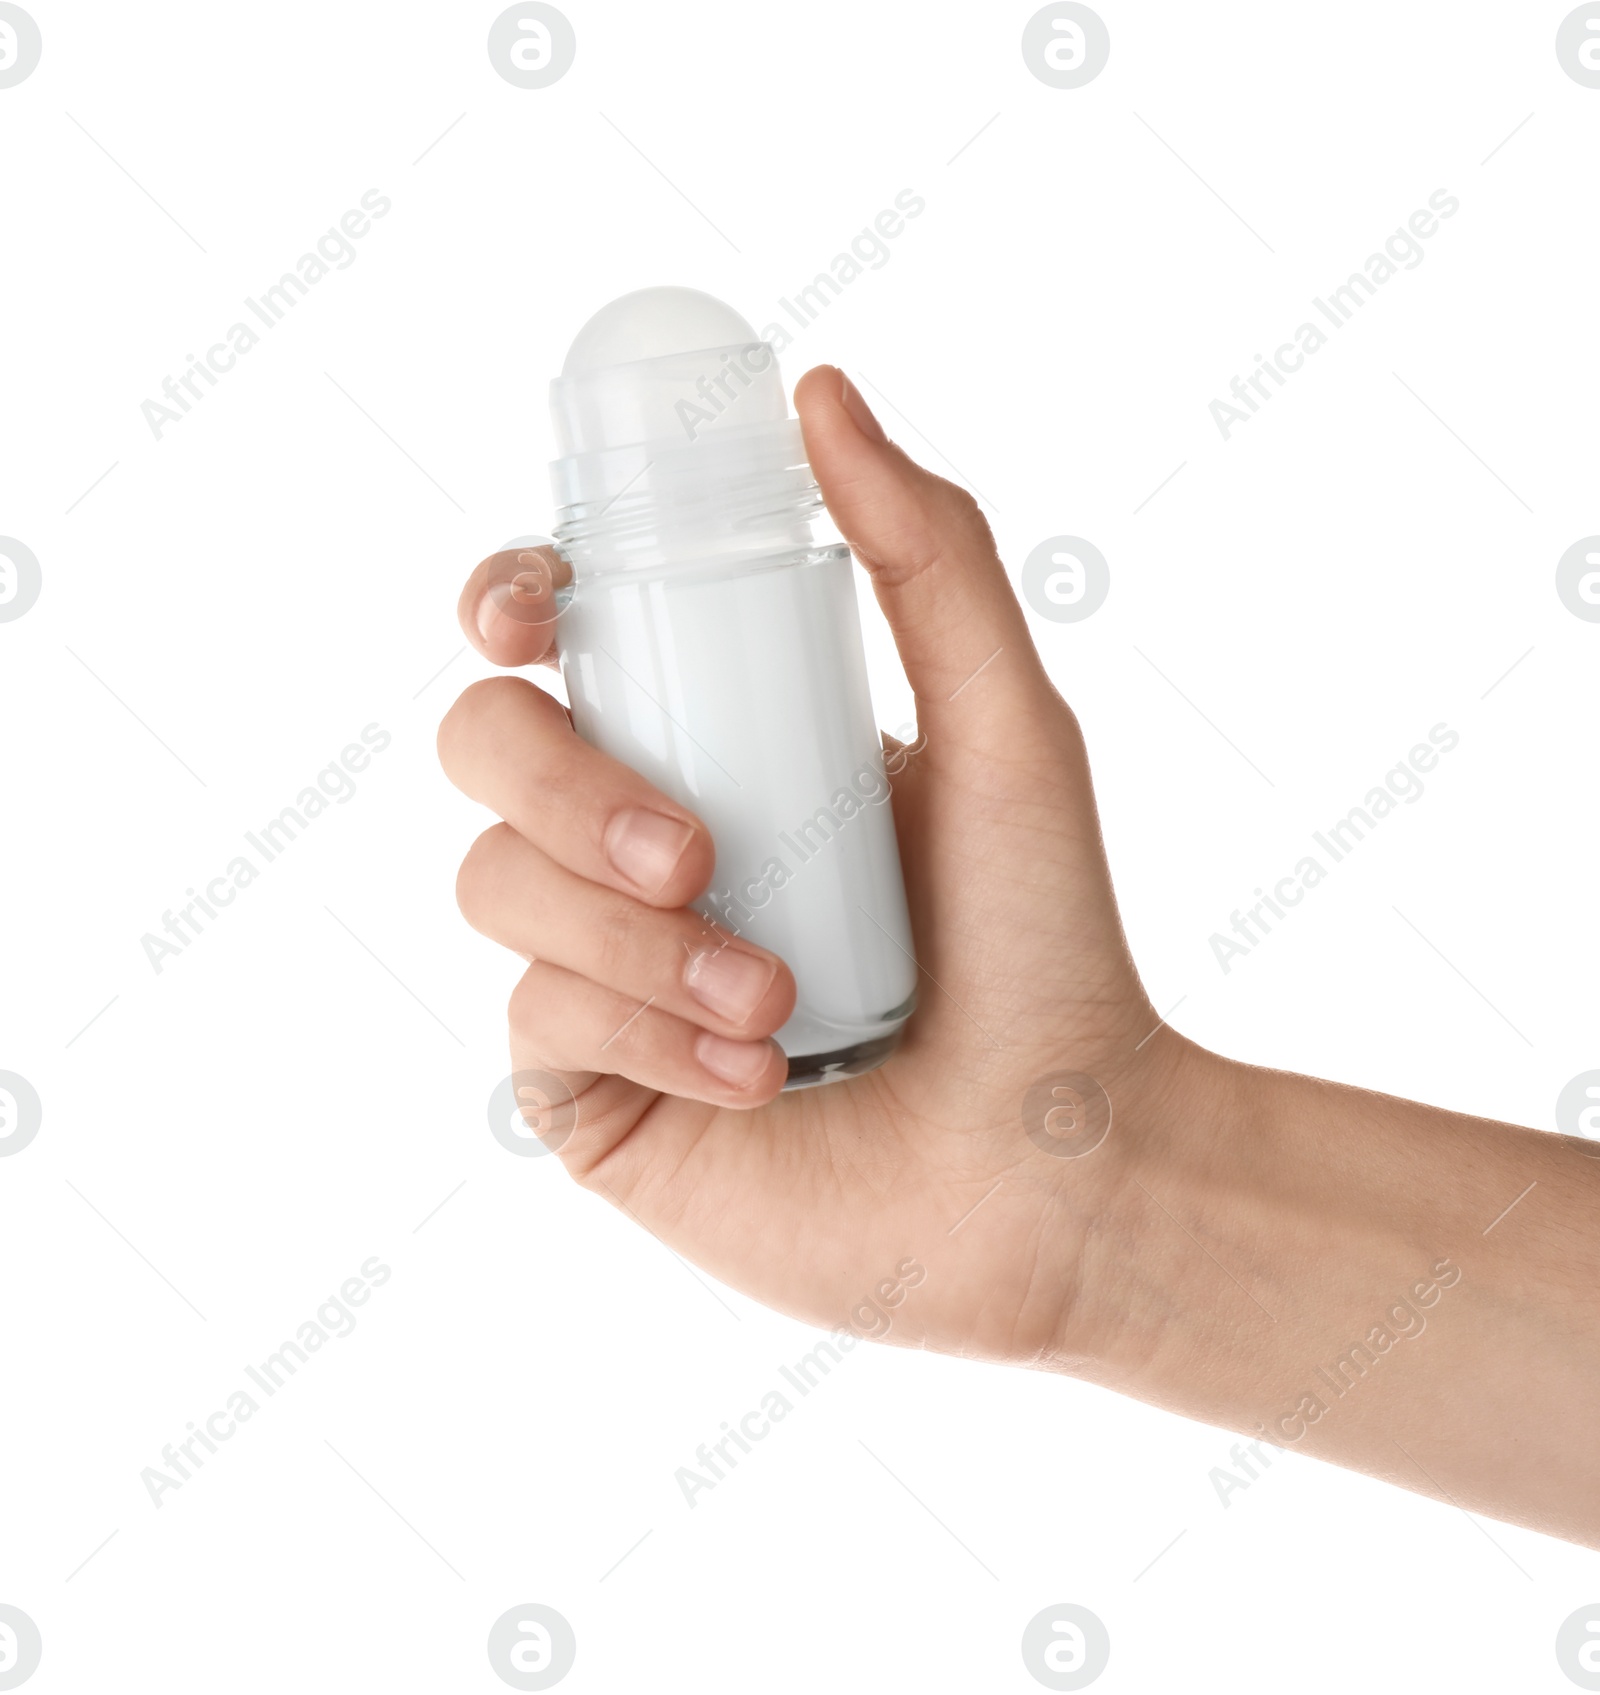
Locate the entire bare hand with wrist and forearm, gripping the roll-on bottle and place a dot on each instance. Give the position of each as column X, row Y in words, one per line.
column 1381, row 1284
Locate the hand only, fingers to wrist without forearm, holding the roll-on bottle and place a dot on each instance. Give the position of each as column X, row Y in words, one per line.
column 813, row 1201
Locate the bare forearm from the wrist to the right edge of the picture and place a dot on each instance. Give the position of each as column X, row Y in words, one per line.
column 1386, row 1286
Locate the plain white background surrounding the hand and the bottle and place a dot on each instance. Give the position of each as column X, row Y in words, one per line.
column 299, row 1092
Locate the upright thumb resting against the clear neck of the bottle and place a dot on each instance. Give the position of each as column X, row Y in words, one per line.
column 962, row 635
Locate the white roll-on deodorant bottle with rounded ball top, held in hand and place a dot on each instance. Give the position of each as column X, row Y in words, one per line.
column 709, row 643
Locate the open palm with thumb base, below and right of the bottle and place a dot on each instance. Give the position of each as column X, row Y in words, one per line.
column 813, row 1201
